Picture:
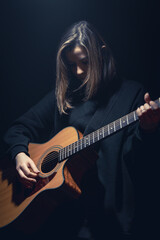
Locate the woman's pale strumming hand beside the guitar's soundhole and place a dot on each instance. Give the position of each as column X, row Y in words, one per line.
column 26, row 169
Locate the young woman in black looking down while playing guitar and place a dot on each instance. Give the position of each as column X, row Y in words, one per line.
column 89, row 94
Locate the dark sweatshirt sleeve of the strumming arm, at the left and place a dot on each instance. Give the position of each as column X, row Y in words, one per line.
column 36, row 125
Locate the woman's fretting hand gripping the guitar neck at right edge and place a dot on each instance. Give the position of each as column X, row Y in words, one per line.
column 149, row 114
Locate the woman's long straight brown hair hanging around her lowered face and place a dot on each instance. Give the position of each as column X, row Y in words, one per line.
column 101, row 67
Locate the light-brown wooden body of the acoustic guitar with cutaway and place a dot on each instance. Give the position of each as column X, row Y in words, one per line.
column 58, row 181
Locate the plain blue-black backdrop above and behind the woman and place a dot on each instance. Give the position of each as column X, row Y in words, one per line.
column 31, row 31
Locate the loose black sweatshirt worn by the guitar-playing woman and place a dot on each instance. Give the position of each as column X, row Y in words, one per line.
column 124, row 161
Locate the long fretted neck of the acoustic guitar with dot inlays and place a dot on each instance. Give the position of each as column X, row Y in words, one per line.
column 99, row 134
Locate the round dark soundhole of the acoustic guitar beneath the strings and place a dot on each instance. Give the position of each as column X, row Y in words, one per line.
column 49, row 162
